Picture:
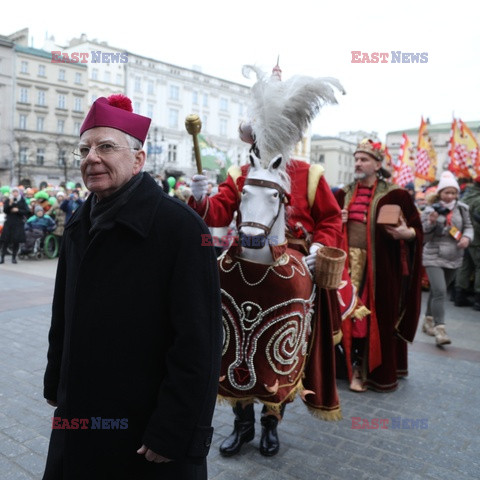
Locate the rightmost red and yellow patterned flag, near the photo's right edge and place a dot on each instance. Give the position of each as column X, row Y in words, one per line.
column 461, row 139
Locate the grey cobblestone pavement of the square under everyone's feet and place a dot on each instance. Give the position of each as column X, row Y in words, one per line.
column 442, row 394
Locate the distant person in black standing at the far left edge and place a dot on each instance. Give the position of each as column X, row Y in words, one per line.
column 16, row 210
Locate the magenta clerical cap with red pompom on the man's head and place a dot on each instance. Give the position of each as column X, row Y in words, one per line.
column 116, row 112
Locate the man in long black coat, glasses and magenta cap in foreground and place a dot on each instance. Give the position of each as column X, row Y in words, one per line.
column 135, row 340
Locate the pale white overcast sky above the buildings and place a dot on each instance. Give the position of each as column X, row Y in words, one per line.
column 311, row 37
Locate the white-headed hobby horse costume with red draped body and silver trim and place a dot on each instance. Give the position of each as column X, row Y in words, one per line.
column 267, row 297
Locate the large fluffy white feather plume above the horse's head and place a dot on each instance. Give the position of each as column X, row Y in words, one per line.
column 280, row 111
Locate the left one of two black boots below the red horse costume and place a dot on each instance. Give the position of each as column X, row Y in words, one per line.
column 243, row 430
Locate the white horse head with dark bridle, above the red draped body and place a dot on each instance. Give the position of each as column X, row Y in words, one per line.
column 262, row 206
